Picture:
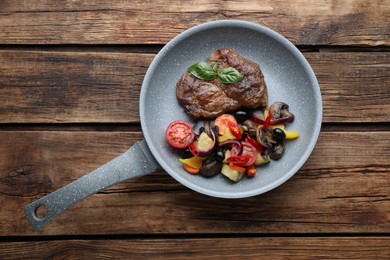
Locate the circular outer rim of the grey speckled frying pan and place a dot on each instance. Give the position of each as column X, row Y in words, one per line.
column 242, row 24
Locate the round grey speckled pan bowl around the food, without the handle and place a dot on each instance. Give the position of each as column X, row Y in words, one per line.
column 289, row 78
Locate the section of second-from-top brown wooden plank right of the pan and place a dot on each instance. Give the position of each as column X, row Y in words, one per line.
column 354, row 86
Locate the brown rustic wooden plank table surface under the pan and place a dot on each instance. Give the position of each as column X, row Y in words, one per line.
column 70, row 77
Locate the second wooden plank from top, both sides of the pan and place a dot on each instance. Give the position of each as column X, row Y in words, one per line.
column 66, row 87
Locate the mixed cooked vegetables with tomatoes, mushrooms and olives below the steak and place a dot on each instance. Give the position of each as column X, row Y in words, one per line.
column 232, row 144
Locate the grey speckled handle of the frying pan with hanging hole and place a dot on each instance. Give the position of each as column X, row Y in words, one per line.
column 135, row 162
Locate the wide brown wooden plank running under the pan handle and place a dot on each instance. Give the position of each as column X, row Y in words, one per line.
column 343, row 187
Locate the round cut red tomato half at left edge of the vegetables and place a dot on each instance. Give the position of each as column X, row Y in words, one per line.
column 179, row 134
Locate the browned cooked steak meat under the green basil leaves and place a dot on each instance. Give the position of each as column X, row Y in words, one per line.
column 209, row 99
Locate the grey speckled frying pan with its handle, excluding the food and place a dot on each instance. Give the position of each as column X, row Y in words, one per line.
column 289, row 78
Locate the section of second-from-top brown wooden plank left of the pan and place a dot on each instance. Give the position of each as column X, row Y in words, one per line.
column 42, row 87
